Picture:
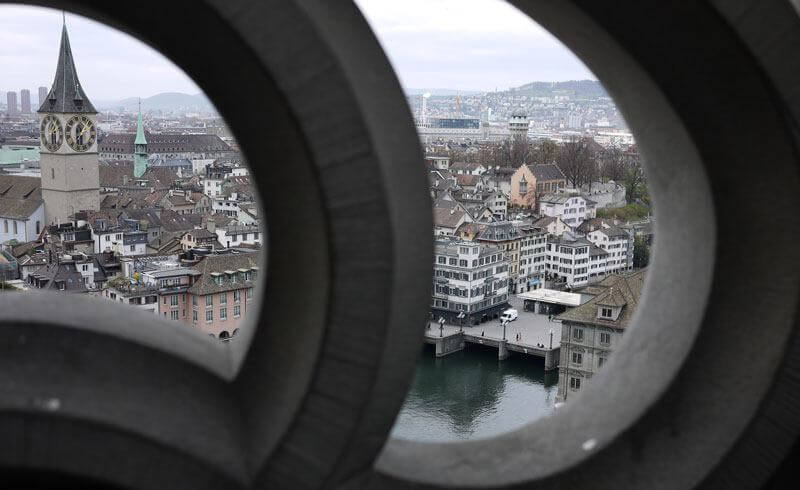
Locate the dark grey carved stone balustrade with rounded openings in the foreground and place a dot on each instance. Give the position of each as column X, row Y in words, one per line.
column 700, row 392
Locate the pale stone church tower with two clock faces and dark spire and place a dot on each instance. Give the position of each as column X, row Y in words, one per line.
column 68, row 146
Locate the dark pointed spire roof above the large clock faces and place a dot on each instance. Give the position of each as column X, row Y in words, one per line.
column 66, row 95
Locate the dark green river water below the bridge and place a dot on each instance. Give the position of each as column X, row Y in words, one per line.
column 471, row 394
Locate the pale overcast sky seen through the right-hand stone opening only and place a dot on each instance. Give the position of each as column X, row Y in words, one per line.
column 468, row 44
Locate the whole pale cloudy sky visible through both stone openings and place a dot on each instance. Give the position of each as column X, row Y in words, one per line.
column 457, row 44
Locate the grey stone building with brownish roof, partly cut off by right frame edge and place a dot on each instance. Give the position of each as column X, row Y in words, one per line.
column 590, row 332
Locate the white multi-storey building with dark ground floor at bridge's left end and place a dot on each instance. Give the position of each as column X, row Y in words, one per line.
column 469, row 277
